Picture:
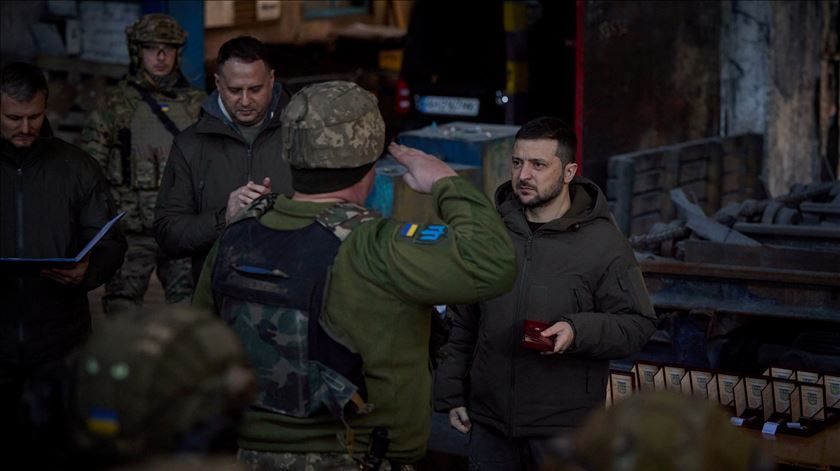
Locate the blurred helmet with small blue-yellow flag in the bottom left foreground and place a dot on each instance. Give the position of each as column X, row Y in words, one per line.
column 149, row 382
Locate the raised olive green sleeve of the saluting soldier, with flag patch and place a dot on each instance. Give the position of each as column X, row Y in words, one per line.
column 466, row 259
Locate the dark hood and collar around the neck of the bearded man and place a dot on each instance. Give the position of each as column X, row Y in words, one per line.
column 588, row 204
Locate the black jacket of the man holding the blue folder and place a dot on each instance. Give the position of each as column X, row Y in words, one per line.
column 54, row 200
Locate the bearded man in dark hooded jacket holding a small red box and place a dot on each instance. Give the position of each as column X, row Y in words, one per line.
column 577, row 273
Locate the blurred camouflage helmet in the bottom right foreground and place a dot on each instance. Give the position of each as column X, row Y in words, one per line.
column 658, row 431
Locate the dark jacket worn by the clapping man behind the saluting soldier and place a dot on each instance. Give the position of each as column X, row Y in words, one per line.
column 208, row 160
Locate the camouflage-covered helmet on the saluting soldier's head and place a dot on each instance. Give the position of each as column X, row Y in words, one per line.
column 332, row 125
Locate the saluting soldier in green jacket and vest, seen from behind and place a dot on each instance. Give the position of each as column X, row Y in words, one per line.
column 333, row 301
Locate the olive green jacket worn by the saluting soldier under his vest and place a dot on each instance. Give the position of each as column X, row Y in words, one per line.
column 379, row 299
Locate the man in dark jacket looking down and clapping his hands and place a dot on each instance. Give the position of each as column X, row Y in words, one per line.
column 230, row 157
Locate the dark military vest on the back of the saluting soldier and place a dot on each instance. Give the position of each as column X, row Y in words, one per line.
column 269, row 286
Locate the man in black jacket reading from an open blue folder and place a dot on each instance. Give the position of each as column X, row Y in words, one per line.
column 54, row 200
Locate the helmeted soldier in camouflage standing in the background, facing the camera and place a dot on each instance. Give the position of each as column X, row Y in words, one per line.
column 130, row 134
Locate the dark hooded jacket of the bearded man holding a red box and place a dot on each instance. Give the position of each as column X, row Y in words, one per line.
column 579, row 269
